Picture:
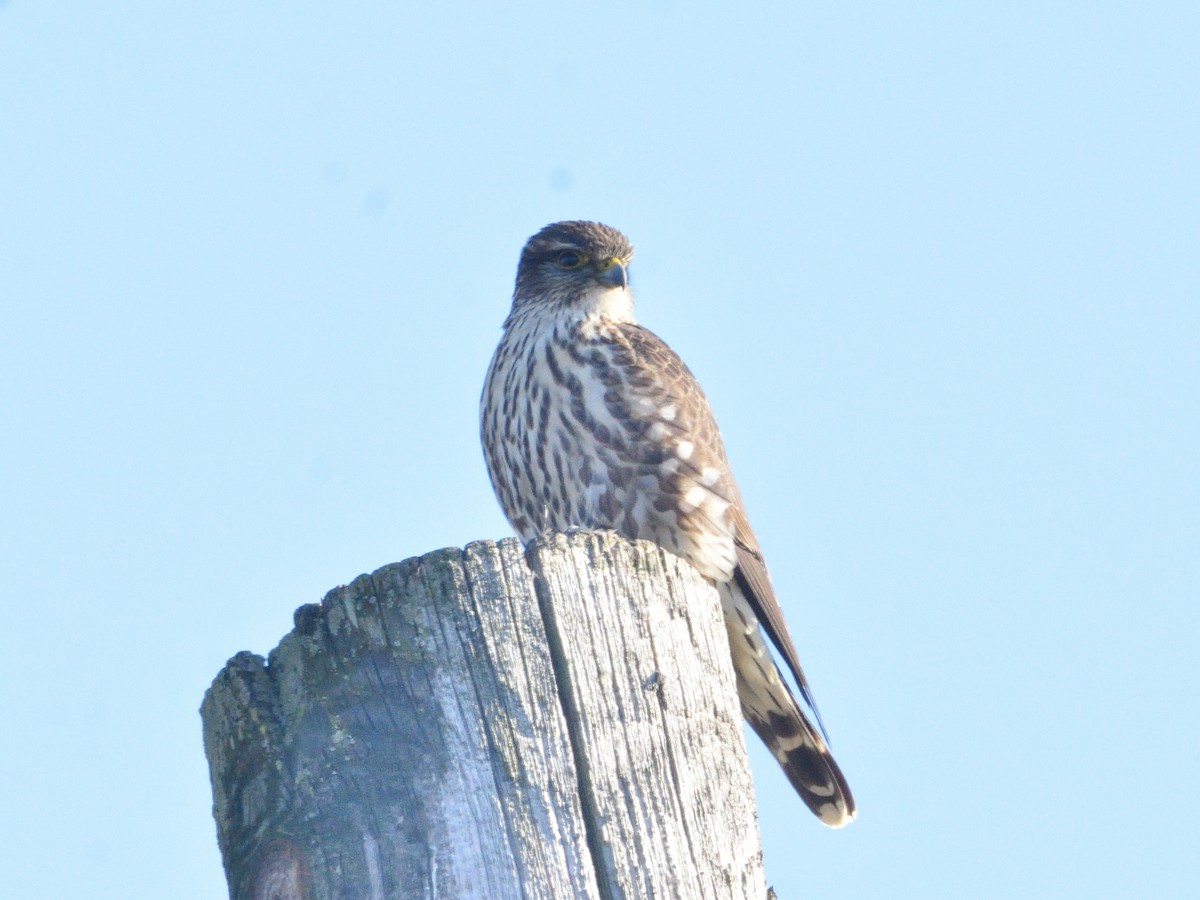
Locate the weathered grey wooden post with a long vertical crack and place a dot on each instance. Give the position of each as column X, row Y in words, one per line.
column 491, row 723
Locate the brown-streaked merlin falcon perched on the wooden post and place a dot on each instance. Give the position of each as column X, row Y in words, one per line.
column 590, row 421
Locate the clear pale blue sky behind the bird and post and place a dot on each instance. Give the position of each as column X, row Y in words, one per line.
column 938, row 267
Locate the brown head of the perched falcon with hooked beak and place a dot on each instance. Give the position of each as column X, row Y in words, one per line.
column 580, row 269
